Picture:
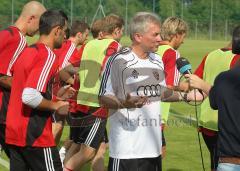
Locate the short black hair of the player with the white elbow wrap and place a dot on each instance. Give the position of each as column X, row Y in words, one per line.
column 51, row 19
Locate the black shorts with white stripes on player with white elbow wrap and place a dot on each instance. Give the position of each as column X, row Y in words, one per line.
column 34, row 159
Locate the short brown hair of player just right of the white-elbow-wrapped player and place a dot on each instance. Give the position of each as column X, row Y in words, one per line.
column 78, row 26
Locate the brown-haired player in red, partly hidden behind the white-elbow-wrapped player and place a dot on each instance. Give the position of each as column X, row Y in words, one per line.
column 78, row 36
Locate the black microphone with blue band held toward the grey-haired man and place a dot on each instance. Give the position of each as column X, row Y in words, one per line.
column 183, row 66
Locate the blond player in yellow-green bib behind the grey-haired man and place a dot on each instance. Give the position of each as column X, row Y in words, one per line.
column 173, row 32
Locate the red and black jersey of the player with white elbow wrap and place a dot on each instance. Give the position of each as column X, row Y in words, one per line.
column 26, row 126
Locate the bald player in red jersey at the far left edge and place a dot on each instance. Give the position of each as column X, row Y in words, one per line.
column 12, row 43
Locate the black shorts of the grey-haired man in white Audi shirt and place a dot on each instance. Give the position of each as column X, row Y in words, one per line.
column 141, row 164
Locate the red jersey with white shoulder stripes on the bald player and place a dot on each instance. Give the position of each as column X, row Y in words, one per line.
column 12, row 43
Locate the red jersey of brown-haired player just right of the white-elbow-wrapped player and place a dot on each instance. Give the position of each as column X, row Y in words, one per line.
column 67, row 51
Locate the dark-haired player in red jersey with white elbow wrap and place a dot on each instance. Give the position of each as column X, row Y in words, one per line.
column 29, row 117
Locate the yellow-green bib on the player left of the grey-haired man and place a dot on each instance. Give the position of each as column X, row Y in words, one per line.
column 90, row 71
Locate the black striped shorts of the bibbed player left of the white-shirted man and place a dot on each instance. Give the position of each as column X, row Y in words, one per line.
column 90, row 130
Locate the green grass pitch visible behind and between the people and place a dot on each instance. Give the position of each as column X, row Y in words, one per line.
column 182, row 144
